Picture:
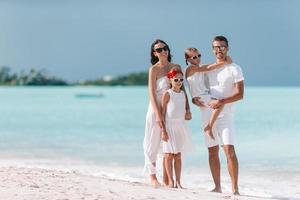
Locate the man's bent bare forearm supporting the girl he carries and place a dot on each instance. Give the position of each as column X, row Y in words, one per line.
column 238, row 95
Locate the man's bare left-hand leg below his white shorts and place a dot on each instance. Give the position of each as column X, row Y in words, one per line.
column 214, row 164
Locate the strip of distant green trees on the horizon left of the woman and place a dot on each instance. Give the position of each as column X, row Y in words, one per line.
column 41, row 78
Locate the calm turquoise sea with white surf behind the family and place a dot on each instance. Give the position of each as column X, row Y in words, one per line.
column 100, row 130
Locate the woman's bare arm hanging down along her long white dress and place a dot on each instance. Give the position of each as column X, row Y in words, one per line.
column 152, row 96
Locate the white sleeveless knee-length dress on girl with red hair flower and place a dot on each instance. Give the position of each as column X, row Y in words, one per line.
column 179, row 138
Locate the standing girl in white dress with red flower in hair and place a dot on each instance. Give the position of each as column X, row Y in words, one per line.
column 174, row 134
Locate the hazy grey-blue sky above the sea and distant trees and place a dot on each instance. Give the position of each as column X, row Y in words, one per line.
column 80, row 40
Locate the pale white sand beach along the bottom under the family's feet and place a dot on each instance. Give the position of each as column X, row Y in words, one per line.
column 18, row 183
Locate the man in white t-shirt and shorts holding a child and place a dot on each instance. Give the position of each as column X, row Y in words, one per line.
column 227, row 85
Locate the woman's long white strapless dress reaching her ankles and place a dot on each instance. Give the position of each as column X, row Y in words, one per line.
column 152, row 139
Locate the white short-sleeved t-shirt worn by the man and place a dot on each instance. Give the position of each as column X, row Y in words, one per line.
column 222, row 82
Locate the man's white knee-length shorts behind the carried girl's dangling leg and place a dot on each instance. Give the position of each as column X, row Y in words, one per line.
column 223, row 129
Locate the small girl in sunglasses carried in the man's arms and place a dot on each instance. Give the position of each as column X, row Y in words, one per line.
column 198, row 85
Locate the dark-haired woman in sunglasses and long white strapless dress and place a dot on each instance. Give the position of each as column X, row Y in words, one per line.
column 158, row 83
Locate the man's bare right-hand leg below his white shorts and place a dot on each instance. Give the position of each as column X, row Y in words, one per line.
column 233, row 167
